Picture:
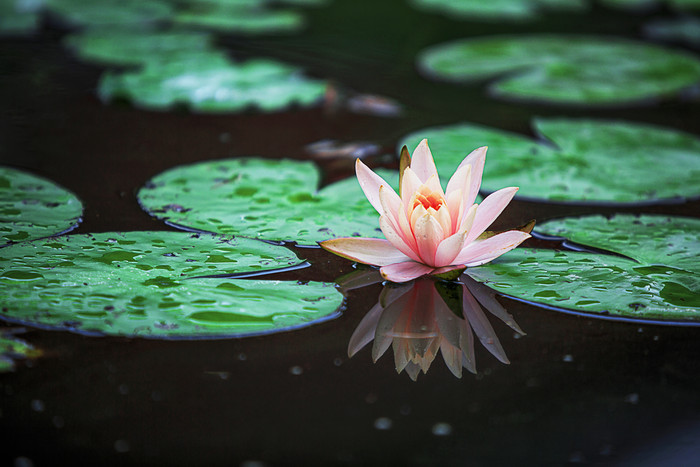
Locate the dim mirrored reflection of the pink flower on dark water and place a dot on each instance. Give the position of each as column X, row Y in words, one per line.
column 420, row 318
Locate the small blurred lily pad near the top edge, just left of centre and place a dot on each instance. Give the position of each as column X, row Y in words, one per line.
column 241, row 20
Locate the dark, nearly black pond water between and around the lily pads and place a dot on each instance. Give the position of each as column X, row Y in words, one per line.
column 577, row 389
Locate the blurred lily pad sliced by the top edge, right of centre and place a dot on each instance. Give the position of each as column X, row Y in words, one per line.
column 499, row 10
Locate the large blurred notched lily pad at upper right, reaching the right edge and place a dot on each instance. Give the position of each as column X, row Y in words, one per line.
column 561, row 69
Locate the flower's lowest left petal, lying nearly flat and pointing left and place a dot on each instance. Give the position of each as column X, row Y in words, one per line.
column 374, row 251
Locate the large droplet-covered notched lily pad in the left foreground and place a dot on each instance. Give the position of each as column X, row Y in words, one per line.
column 155, row 284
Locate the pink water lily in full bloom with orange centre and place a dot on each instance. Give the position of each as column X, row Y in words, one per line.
column 428, row 230
